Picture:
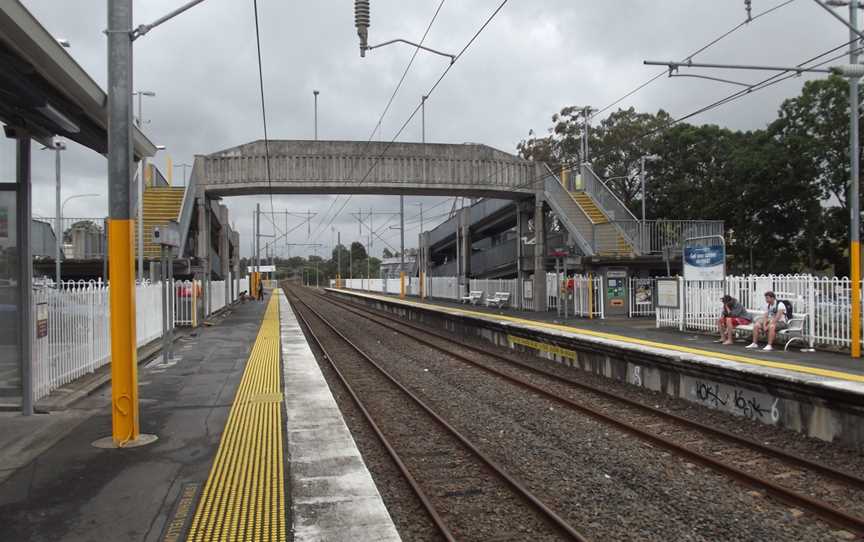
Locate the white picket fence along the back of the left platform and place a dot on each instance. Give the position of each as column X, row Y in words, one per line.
column 79, row 334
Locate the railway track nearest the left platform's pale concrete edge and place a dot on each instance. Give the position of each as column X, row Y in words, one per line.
column 466, row 494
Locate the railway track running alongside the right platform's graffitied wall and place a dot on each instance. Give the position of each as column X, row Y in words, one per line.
column 795, row 480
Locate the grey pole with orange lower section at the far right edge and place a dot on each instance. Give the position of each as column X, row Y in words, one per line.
column 854, row 205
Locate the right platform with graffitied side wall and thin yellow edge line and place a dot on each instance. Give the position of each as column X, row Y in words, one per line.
column 820, row 394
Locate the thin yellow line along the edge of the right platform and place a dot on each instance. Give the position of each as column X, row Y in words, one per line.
column 840, row 375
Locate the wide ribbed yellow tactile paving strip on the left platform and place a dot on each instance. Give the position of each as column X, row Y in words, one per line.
column 244, row 498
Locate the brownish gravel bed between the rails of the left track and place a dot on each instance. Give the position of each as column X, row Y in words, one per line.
column 474, row 502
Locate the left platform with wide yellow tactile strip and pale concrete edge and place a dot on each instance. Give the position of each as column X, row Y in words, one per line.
column 251, row 446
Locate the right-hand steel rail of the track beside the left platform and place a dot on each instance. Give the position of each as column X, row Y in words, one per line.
column 557, row 520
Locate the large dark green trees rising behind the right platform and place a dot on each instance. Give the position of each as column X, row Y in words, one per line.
column 781, row 191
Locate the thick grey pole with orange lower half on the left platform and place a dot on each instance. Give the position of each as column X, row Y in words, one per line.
column 124, row 375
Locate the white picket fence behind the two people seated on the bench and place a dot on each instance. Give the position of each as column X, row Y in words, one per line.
column 825, row 301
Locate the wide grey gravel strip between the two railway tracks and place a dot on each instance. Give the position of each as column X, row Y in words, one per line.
column 613, row 485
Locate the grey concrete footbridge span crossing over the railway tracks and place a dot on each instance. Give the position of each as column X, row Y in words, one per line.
column 360, row 167
